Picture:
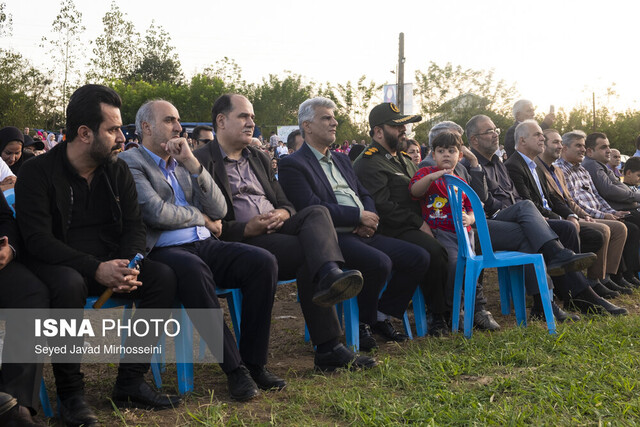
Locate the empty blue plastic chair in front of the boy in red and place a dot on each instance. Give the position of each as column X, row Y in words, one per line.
column 510, row 265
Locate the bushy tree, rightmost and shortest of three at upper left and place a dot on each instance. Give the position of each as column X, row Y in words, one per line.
column 158, row 61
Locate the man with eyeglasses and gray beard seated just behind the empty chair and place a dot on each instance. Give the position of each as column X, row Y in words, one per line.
column 515, row 224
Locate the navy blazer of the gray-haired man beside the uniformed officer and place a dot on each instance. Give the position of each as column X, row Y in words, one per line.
column 305, row 184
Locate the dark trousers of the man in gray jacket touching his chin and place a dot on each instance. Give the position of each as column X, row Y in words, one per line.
column 202, row 265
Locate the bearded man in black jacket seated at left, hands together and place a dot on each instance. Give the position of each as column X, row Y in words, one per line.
column 78, row 213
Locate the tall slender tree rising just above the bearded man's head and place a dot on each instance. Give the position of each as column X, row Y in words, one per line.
column 65, row 46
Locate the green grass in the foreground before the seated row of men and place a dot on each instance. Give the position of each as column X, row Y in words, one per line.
column 587, row 374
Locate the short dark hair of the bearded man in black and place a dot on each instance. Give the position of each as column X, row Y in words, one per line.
column 84, row 108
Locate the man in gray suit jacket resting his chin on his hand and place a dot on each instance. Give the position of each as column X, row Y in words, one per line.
column 182, row 206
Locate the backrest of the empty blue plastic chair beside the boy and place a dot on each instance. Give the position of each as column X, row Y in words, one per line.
column 455, row 189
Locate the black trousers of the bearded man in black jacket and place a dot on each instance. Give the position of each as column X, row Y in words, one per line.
column 69, row 289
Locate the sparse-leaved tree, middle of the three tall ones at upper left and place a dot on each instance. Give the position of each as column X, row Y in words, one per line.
column 116, row 51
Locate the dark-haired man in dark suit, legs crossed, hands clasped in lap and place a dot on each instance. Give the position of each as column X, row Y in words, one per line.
column 259, row 214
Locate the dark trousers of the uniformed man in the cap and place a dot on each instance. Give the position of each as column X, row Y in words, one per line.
column 434, row 282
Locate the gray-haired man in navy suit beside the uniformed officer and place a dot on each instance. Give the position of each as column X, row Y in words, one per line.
column 314, row 175
